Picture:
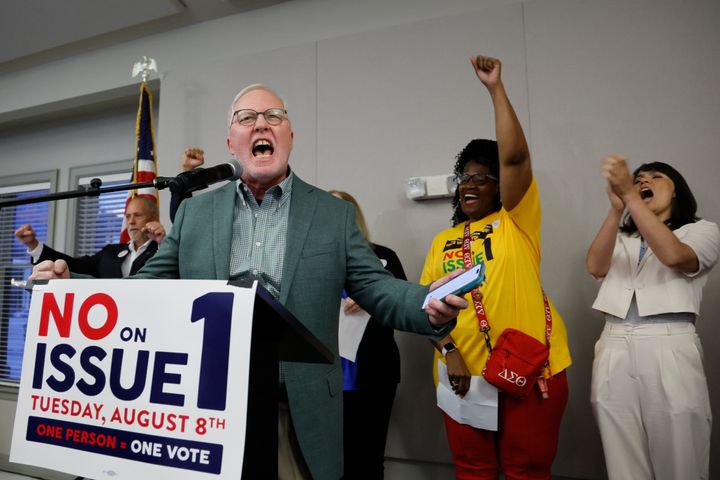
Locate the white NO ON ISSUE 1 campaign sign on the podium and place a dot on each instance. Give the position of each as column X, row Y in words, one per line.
column 135, row 379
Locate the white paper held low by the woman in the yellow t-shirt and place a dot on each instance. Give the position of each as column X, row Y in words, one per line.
column 479, row 407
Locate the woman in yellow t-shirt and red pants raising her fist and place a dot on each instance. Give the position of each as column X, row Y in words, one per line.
column 497, row 199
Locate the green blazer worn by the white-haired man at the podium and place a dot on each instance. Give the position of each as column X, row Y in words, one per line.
column 325, row 253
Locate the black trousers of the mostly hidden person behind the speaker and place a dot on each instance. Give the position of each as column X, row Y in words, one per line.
column 366, row 415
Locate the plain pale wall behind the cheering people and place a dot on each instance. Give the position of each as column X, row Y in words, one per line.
column 381, row 90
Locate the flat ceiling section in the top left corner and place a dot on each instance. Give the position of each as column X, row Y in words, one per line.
column 39, row 31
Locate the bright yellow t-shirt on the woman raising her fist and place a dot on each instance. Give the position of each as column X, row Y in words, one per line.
column 508, row 243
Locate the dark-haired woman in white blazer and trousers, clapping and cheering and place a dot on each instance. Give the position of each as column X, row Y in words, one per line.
column 649, row 391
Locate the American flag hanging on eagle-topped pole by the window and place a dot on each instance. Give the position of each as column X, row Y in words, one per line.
column 144, row 168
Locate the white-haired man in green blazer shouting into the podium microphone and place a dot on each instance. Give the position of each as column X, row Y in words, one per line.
column 304, row 246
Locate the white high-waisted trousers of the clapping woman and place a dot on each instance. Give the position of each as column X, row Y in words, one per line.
column 650, row 398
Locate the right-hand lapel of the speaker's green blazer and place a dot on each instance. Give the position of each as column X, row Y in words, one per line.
column 302, row 209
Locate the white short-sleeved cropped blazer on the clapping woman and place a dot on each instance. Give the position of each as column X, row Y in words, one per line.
column 657, row 288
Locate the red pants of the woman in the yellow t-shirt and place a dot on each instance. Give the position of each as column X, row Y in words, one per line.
column 525, row 444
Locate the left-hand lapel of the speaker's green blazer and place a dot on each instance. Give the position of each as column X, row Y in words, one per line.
column 223, row 214
